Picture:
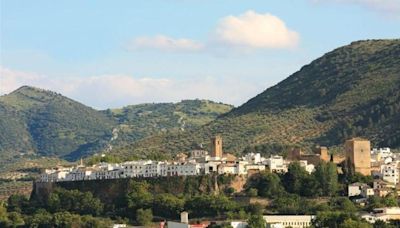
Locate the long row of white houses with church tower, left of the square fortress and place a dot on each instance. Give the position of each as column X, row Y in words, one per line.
column 200, row 162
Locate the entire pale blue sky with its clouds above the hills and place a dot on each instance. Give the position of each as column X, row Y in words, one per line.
column 109, row 54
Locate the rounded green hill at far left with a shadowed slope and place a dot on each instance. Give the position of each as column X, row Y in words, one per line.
column 45, row 123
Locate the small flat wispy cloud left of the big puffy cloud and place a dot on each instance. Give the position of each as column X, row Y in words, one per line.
column 164, row 43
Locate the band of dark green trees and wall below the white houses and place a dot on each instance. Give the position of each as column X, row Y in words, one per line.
column 142, row 201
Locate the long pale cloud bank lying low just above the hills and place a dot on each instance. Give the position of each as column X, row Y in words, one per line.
column 110, row 91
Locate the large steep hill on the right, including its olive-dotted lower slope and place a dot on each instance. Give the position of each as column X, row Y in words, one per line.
column 351, row 91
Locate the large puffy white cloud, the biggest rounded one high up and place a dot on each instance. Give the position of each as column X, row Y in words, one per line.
column 254, row 30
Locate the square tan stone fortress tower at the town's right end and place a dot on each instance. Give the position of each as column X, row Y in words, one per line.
column 358, row 153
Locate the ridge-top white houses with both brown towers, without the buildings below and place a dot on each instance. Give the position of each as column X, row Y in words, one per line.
column 380, row 163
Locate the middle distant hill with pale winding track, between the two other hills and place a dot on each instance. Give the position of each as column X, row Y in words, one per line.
column 136, row 122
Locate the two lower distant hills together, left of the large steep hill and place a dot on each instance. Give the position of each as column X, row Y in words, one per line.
column 36, row 122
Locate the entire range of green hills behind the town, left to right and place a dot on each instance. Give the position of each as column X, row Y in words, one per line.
column 351, row 91
